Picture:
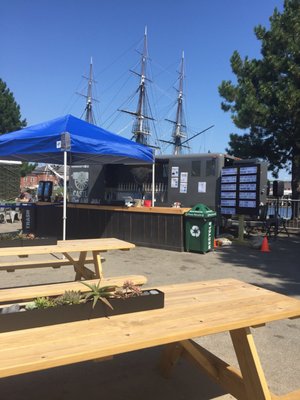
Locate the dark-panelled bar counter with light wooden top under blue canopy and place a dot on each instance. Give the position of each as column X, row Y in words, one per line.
column 158, row 227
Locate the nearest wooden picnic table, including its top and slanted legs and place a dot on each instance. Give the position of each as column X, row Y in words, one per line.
column 191, row 310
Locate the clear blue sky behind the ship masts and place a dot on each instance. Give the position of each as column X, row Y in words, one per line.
column 46, row 47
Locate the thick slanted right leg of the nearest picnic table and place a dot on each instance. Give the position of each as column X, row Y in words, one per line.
column 253, row 376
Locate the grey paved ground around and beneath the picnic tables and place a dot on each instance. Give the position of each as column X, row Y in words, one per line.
column 134, row 376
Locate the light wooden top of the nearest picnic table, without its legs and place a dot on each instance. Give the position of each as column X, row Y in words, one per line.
column 191, row 310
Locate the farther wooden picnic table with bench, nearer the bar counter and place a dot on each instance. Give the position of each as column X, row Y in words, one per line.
column 65, row 248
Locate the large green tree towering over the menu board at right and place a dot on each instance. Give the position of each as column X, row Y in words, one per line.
column 265, row 99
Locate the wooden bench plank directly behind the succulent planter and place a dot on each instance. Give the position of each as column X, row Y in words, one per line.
column 28, row 293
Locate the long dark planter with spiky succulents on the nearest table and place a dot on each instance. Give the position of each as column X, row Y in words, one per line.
column 75, row 306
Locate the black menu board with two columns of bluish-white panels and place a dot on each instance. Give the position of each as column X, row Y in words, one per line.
column 239, row 193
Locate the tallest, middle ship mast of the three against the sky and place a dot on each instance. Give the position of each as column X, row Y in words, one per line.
column 141, row 128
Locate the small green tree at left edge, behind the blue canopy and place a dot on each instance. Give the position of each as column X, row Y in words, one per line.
column 10, row 115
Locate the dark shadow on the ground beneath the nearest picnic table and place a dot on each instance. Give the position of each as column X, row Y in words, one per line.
column 131, row 376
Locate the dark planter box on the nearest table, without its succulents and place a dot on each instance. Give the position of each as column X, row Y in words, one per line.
column 70, row 313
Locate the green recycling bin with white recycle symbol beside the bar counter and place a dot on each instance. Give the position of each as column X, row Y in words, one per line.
column 199, row 229
